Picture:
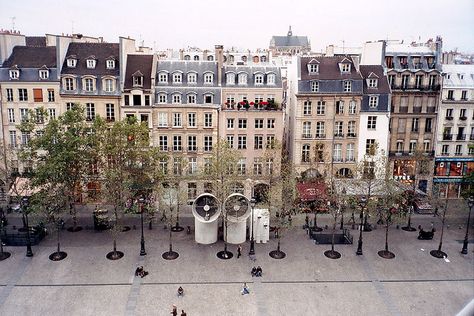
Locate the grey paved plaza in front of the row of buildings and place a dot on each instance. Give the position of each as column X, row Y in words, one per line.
column 304, row 283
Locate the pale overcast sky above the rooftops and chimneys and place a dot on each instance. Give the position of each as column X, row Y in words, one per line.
column 247, row 23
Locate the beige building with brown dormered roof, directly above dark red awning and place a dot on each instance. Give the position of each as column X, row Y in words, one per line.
column 325, row 98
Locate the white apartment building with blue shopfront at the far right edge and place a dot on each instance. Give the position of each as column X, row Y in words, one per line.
column 454, row 152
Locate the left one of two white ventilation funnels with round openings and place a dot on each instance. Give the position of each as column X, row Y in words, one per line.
column 206, row 212
